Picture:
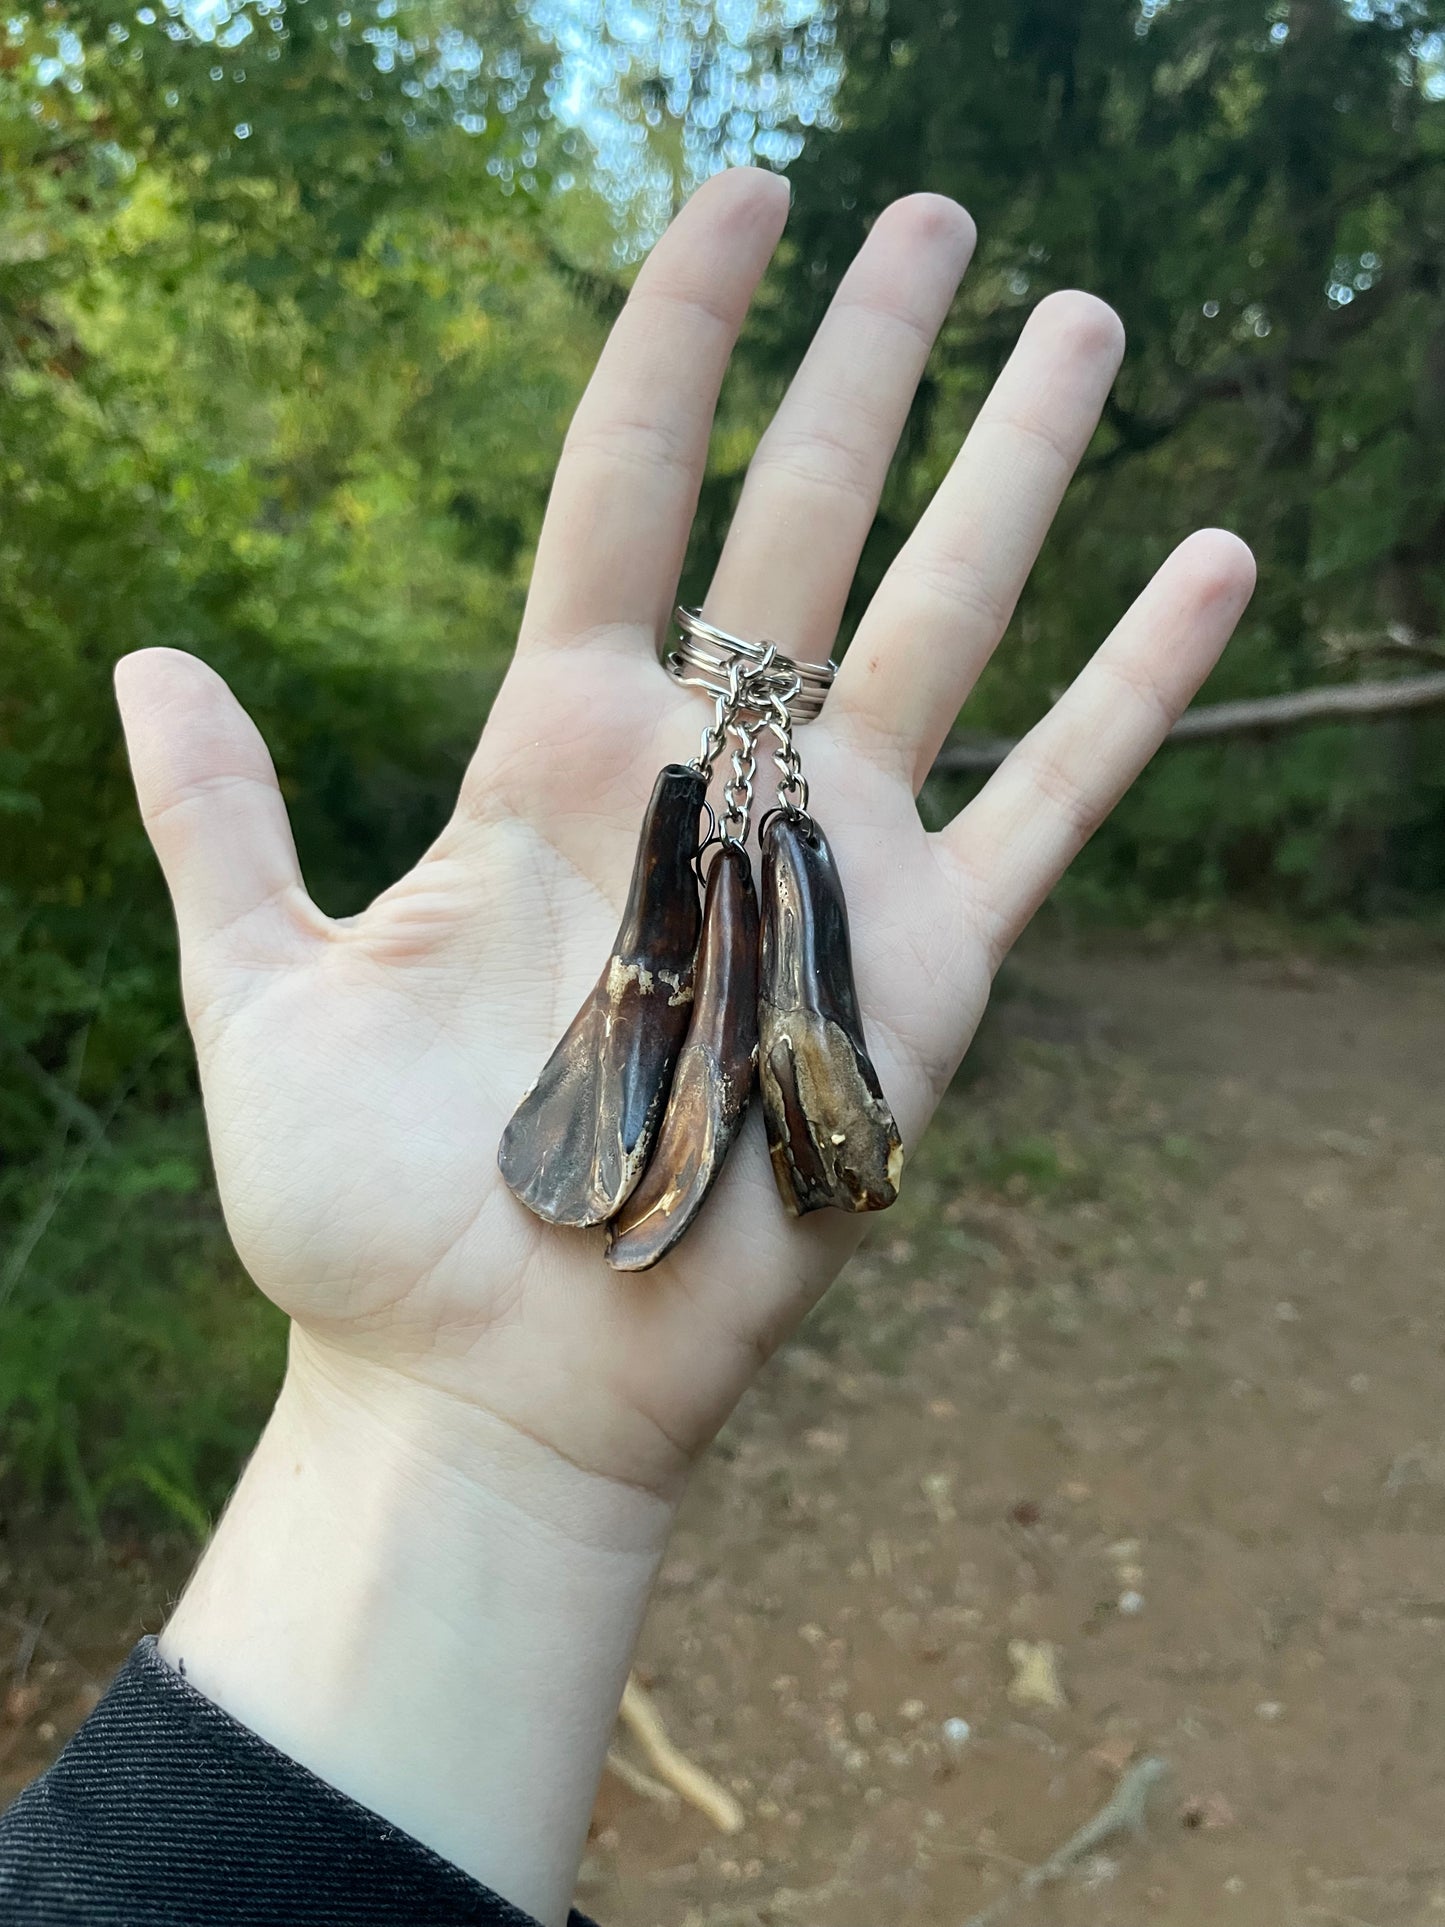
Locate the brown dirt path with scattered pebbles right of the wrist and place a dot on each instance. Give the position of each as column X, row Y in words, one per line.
column 1147, row 1369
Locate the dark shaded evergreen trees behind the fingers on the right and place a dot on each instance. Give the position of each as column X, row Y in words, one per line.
column 1261, row 192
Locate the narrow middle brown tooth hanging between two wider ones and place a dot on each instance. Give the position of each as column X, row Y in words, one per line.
column 714, row 1078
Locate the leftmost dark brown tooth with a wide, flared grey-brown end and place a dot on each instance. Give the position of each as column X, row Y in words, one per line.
column 581, row 1138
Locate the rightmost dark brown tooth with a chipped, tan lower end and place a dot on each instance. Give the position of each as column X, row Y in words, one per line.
column 829, row 1128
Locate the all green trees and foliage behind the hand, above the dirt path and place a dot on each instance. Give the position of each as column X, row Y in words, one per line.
column 294, row 309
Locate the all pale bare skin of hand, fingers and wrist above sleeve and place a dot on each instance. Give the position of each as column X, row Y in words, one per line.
column 433, row 1575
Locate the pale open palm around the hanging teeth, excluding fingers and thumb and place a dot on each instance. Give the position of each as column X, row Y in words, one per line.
column 359, row 1092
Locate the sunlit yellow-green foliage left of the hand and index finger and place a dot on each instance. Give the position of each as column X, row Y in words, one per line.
column 292, row 404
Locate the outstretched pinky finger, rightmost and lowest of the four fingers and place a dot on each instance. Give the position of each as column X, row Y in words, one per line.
column 1049, row 797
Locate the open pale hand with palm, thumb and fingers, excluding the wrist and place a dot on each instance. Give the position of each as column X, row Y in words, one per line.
column 359, row 1076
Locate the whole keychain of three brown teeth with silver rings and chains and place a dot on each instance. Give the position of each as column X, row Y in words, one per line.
column 633, row 1117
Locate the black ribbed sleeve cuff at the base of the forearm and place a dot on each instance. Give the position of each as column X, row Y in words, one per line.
column 165, row 1812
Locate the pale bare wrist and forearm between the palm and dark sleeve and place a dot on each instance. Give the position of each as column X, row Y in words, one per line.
column 431, row 1612
